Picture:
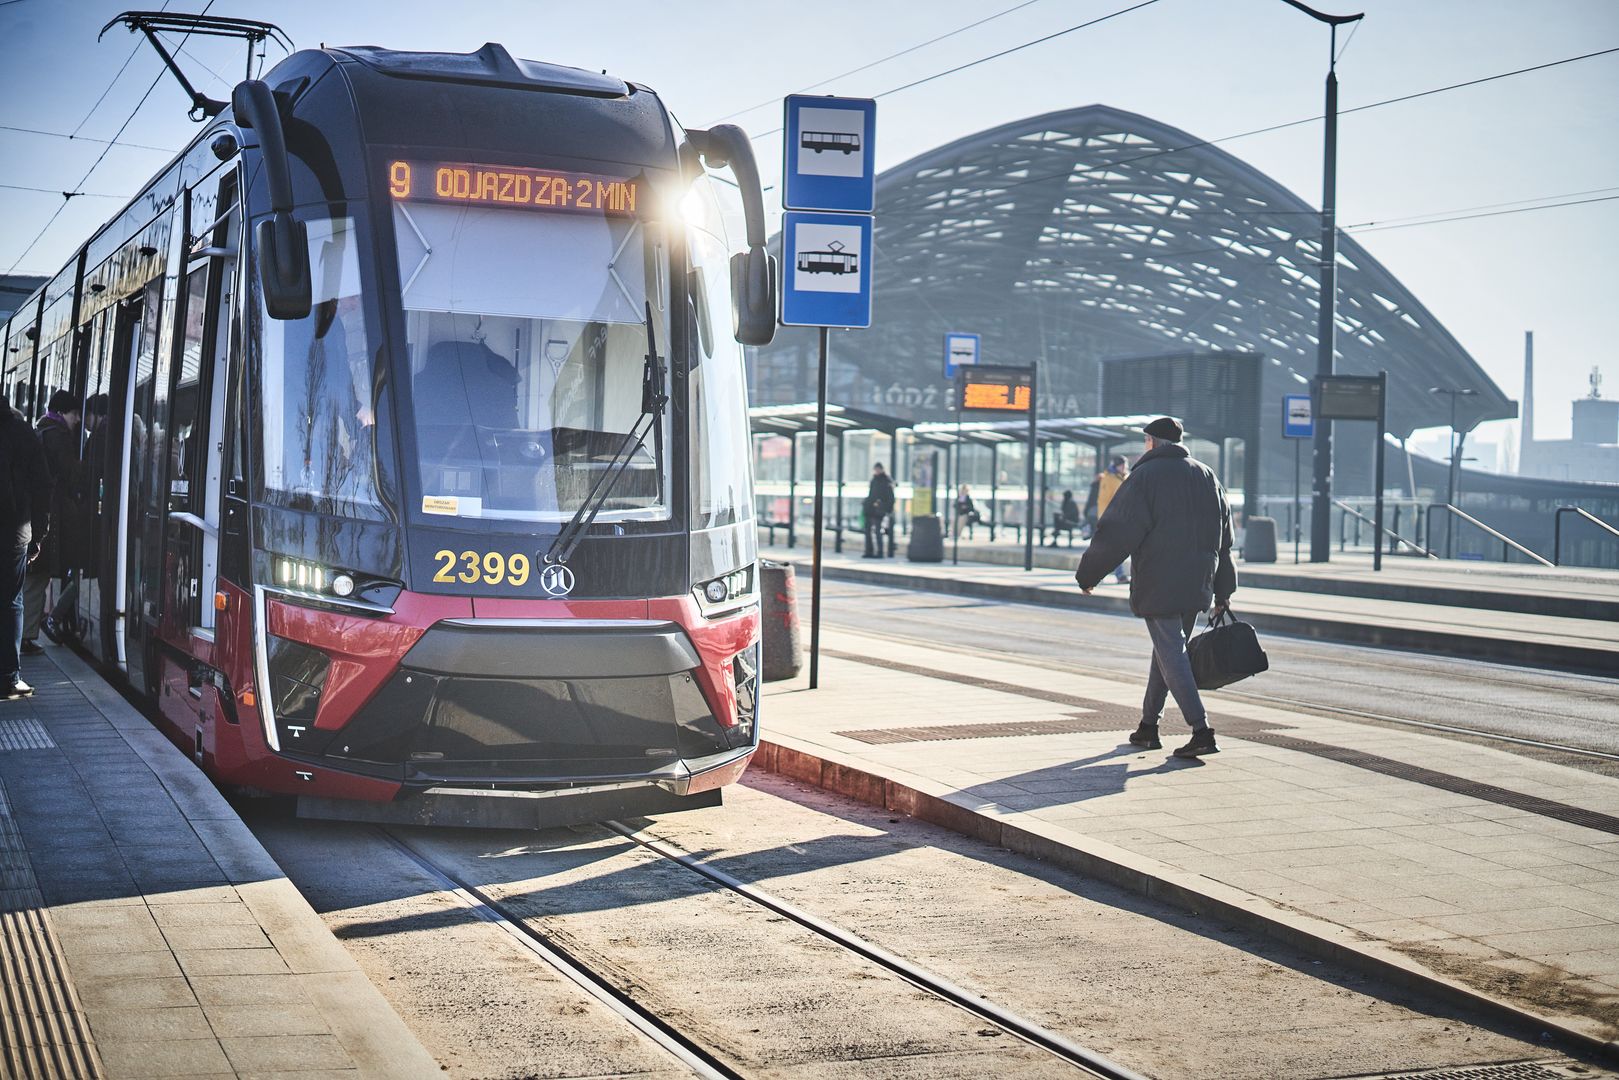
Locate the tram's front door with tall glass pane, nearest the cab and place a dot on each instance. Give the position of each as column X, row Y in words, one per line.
column 197, row 417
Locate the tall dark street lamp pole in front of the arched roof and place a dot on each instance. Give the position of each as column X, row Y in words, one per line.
column 1327, row 328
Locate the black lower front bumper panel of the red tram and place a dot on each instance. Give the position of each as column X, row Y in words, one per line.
column 542, row 705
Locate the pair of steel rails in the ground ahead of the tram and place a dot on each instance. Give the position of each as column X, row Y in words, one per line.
column 702, row 1060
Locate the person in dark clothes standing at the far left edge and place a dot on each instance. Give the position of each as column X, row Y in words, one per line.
column 25, row 521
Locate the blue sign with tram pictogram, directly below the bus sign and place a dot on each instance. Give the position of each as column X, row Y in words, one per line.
column 826, row 270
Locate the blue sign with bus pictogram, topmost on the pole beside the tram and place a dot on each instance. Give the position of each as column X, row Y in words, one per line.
column 830, row 158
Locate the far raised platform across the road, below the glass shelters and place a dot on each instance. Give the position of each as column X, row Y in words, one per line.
column 1505, row 613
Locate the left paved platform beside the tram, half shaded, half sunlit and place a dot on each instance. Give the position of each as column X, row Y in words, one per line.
column 143, row 929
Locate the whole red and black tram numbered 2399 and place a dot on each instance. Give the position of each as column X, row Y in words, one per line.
column 425, row 483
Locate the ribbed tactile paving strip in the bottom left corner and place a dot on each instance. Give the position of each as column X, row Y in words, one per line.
column 43, row 1031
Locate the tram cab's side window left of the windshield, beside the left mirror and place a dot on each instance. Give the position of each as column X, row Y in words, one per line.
column 317, row 419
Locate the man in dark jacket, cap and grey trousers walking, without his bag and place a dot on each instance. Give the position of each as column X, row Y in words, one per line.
column 1173, row 521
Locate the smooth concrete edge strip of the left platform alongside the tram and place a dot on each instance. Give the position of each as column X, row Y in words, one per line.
column 362, row 1019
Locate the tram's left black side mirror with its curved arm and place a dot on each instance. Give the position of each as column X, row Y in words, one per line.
column 283, row 242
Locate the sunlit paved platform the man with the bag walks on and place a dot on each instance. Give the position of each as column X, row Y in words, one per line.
column 1471, row 874
